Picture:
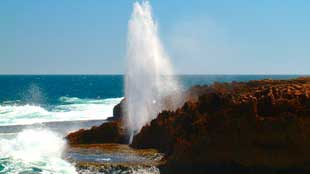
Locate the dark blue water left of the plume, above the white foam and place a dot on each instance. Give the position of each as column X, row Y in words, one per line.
column 49, row 88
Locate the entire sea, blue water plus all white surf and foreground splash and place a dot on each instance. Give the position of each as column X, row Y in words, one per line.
column 36, row 111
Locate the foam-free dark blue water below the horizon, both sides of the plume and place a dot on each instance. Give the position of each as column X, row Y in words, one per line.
column 47, row 89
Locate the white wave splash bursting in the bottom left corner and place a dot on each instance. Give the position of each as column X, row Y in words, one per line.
column 34, row 151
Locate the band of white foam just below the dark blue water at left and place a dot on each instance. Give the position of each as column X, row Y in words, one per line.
column 72, row 109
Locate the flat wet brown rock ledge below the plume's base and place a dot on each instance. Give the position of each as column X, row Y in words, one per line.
column 113, row 158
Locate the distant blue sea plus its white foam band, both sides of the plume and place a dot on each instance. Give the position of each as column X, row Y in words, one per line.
column 28, row 99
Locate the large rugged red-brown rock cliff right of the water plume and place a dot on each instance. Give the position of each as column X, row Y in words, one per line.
column 255, row 127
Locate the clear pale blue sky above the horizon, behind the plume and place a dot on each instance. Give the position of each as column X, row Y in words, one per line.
column 201, row 36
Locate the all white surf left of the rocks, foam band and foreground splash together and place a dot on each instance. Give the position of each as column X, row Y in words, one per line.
column 37, row 147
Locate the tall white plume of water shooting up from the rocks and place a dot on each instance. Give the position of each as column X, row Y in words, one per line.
column 149, row 78
